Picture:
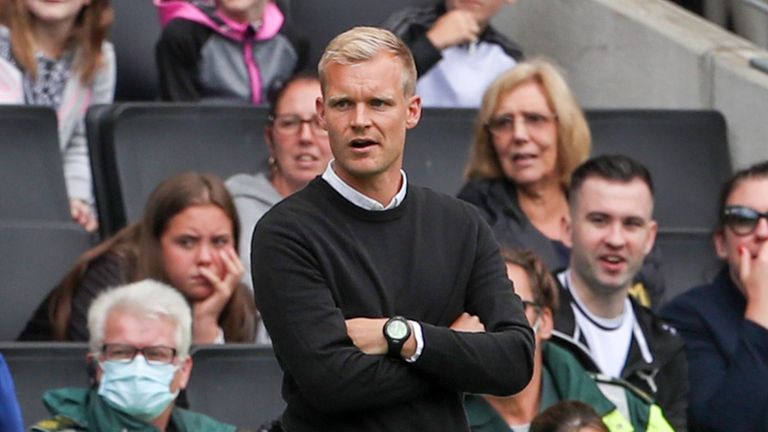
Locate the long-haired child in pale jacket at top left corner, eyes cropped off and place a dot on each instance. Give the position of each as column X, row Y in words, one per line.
column 55, row 54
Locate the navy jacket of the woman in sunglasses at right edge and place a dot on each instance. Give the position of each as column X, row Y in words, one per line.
column 727, row 392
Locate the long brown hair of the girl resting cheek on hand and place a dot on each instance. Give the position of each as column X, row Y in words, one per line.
column 138, row 246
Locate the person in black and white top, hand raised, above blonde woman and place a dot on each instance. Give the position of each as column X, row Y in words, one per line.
column 457, row 51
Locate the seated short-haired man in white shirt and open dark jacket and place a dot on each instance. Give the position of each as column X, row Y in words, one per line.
column 611, row 231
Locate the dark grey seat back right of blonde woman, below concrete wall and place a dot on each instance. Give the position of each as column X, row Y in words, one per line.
column 686, row 152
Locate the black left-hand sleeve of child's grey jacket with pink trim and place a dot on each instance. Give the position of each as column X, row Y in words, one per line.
column 177, row 55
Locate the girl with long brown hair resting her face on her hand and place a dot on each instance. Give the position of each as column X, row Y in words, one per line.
column 186, row 238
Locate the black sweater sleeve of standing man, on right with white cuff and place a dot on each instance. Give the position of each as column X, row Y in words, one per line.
column 499, row 361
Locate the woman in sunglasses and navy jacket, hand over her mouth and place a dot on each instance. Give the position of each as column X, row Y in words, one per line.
column 725, row 323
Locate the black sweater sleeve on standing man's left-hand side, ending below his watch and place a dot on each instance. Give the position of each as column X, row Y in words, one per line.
column 308, row 328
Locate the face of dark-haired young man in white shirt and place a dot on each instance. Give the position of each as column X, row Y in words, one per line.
column 611, row 231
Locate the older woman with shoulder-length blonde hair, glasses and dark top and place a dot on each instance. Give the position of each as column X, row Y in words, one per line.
column 529, row 136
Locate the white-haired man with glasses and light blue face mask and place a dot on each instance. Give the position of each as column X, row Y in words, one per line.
column 139, row 339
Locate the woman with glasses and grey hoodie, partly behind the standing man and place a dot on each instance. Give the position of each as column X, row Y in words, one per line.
column 299, row 151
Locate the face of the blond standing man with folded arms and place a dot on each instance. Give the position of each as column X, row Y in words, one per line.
column 366, row 113
